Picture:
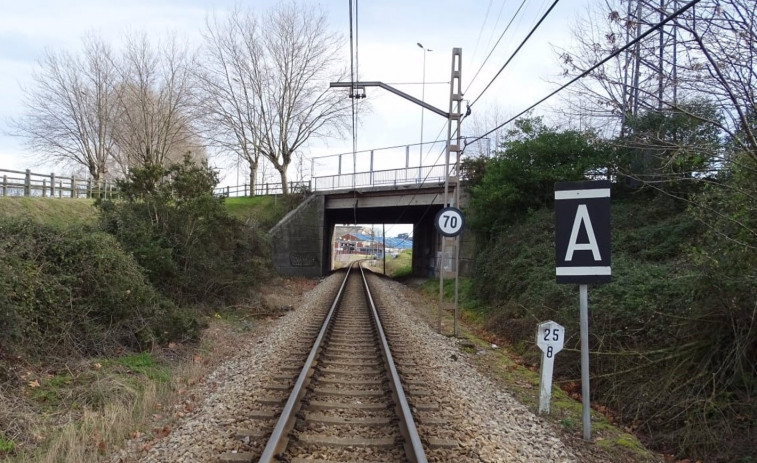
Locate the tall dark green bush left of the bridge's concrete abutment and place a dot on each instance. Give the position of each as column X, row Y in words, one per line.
column 192, row 250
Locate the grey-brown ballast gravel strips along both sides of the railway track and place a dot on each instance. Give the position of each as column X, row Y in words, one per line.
column 488, row 422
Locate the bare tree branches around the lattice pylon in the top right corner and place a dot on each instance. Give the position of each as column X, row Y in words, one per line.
column 707, row 52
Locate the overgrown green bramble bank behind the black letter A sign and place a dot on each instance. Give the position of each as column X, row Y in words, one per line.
column 672, row 338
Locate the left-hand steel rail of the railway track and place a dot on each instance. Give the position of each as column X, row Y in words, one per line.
column 276, row 442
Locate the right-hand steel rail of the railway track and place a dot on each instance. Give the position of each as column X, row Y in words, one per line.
column 415, row 451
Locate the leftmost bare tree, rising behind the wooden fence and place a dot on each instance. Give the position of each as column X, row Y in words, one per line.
column 69, row 109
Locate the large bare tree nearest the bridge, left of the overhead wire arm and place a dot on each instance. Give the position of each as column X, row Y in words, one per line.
column 271, row 75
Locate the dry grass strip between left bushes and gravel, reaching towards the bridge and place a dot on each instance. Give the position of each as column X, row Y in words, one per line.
column 119, row 404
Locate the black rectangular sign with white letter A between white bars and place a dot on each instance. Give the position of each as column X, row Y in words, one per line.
column 582, row 232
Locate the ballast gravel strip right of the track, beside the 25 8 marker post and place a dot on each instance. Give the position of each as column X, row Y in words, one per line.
column 487, row 422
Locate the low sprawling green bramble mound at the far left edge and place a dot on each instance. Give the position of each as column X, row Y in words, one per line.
column 76, row 292
